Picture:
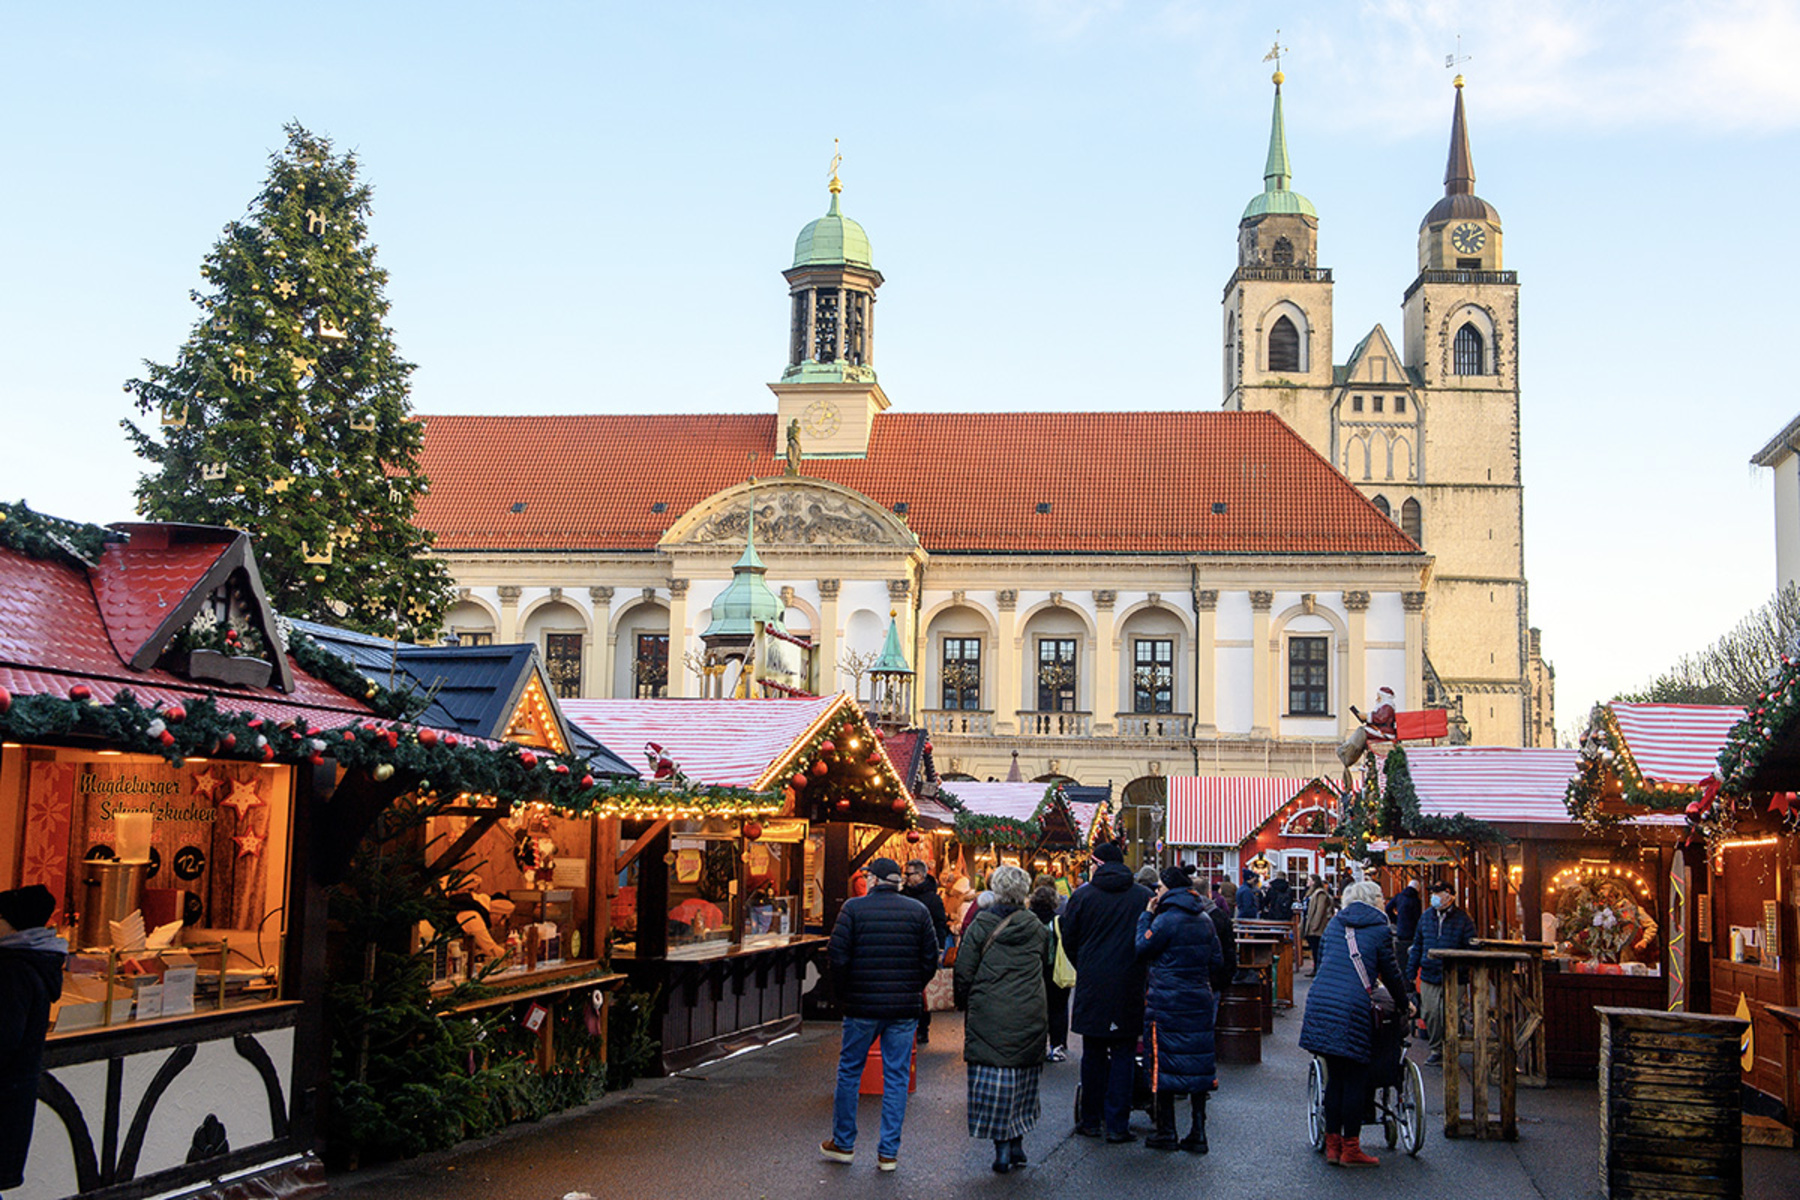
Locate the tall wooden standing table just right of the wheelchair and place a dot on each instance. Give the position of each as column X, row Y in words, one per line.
column 1493, row 996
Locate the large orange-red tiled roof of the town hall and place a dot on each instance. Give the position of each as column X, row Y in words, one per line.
column 1113, row 481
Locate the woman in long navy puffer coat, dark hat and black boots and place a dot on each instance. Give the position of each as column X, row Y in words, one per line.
column 1180, row 945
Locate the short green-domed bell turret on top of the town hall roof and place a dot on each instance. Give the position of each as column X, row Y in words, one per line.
column 831, row 384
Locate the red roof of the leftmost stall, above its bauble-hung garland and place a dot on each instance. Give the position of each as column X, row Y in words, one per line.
column 53, row 638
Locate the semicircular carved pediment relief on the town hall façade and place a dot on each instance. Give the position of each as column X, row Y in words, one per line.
column 791, row 514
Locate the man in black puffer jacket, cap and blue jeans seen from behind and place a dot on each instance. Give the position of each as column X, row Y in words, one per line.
column 885, row 951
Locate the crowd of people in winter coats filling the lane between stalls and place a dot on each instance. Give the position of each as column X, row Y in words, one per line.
column 1149, row 956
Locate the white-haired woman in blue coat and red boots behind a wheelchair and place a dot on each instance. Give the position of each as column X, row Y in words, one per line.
column 1340, row 1025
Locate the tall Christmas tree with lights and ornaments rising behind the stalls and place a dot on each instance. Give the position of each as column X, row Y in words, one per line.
column 285, row 413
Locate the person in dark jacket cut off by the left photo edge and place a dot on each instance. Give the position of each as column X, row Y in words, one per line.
column 31, row 980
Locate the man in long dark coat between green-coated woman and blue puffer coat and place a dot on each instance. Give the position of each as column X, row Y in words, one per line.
column 1101, row 938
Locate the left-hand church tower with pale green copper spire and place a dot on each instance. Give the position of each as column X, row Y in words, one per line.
column 1279, row 303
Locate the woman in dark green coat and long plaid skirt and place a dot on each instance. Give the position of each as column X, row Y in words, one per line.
column 1000, row 981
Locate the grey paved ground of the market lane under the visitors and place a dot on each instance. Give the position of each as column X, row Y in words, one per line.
column 750, row 1127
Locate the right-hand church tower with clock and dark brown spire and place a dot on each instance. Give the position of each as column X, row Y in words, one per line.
column 1462, row 354
